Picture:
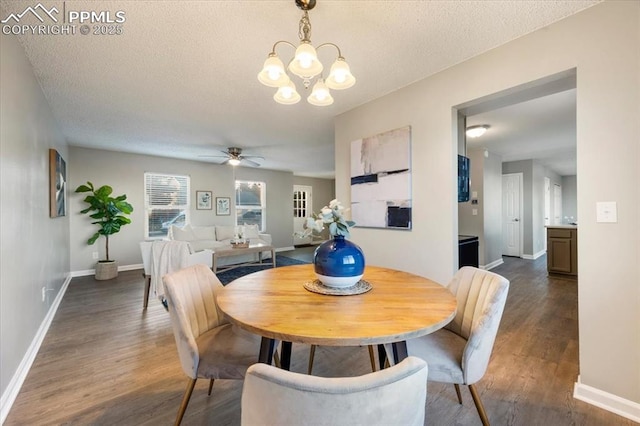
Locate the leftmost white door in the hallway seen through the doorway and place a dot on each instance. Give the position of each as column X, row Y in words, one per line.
column 511, row 214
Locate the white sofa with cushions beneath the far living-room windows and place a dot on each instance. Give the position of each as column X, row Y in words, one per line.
column 210, row 238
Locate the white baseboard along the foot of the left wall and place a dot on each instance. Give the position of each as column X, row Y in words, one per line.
column 12, row 390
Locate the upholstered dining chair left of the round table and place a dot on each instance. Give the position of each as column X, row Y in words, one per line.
column 208, row 345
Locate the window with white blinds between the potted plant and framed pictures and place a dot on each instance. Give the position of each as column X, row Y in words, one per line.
column 166, row 203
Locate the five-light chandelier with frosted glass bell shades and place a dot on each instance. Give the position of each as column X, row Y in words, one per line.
column 305, row 64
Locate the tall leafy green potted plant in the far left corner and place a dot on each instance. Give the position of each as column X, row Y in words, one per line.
column 109, row 214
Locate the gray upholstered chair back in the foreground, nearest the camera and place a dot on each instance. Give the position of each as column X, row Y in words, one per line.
column 393, row 396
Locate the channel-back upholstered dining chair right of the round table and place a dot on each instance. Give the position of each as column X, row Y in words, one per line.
column 460, row 352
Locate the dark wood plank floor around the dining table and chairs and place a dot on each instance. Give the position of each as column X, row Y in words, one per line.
column 105, row 361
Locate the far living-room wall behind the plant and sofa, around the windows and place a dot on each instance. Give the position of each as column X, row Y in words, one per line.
column 125, row 173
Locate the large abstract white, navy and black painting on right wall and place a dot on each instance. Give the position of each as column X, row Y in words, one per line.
column 381, row 180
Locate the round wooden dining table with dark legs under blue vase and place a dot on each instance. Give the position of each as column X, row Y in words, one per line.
column 274, row 304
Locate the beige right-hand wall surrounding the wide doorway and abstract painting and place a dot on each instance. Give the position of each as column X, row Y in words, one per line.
column 602, row 44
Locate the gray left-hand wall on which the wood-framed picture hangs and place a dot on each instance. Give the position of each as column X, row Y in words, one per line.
column 34, row 249
